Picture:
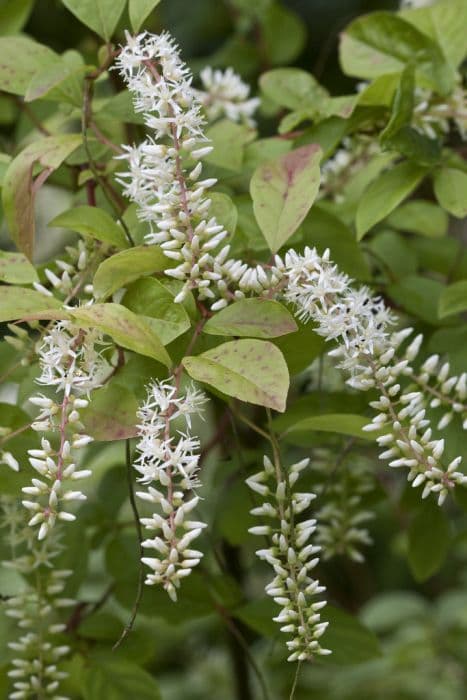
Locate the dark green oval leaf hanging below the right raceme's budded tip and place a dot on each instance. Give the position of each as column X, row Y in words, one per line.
column 429, row 540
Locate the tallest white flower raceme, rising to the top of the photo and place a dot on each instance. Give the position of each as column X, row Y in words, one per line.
column 169, row 192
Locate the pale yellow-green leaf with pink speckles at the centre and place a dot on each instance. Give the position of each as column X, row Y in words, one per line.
column 250, row 370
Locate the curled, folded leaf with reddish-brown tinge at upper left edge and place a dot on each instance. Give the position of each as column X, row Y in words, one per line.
column 19, row 188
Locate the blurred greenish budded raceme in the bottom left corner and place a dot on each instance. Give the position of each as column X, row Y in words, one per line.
column 40, row 647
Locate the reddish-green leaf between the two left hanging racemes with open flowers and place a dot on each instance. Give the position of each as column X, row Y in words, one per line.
column 111, row 415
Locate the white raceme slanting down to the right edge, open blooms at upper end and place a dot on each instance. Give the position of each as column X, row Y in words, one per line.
column 358, row 323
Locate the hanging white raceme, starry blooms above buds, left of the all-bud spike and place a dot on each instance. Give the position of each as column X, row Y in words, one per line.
column 169, row 458
